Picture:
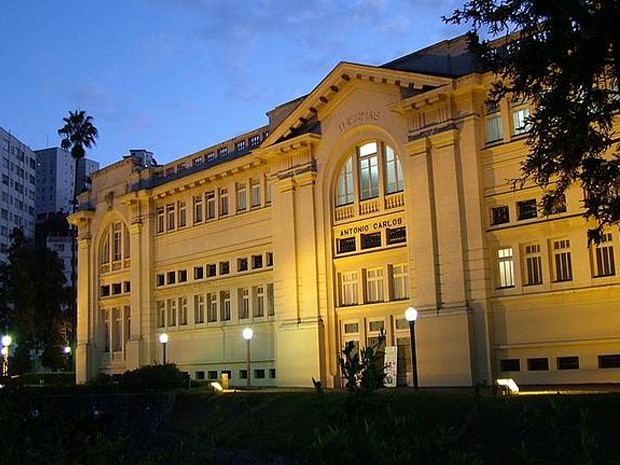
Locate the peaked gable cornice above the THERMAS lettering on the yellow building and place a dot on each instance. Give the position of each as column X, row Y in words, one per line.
column 304, row 113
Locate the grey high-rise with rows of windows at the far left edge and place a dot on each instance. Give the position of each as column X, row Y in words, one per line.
column 17, row 191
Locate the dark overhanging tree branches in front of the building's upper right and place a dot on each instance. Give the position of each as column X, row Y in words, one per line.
column 564, row 57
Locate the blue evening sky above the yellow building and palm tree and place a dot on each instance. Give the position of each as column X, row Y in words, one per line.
column 176, row 76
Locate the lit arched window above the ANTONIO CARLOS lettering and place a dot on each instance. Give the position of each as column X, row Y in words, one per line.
column 373, row 170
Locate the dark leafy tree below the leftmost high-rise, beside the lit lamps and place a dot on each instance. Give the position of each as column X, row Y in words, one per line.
column 33, row 304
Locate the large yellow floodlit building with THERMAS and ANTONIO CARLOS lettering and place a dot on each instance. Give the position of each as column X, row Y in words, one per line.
column 385, row 187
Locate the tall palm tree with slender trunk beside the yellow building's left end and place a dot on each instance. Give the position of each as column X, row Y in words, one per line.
column 79, row 134
